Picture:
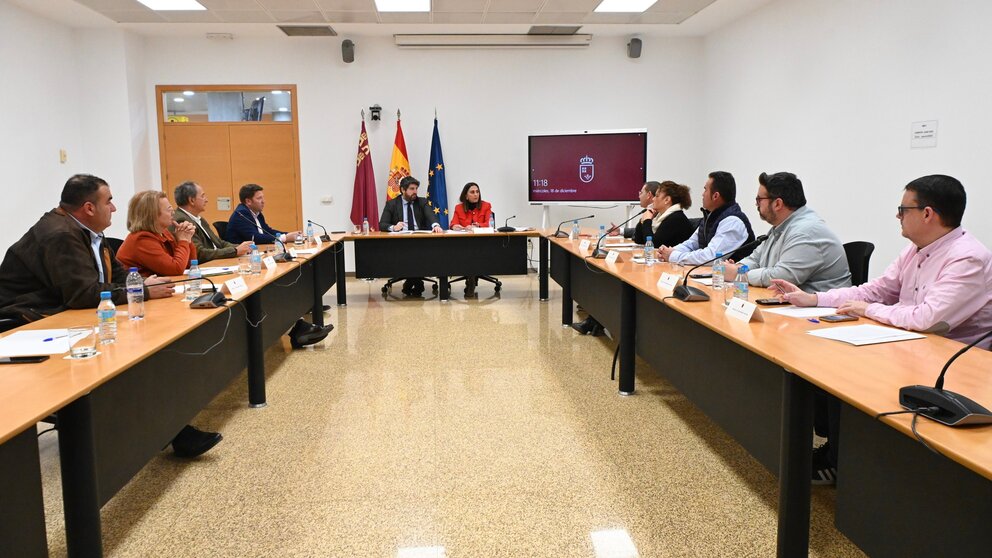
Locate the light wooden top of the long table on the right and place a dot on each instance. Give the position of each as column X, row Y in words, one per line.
column 867, row 377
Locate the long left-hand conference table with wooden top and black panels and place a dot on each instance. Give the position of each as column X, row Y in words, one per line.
column 117, row 410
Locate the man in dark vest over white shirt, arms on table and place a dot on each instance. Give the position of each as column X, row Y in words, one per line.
column 724, row 227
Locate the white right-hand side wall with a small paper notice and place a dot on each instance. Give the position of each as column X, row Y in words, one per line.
column 828, row 90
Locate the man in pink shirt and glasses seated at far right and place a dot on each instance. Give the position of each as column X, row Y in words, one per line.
column 940, row 283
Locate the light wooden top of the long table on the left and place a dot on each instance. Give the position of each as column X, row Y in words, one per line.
column 31, row 392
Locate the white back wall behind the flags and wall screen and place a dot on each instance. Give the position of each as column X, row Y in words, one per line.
column 487, row 102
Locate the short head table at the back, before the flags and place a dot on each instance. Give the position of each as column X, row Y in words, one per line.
column 444, row 255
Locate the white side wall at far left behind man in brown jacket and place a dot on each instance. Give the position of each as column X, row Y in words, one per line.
column 39, row 96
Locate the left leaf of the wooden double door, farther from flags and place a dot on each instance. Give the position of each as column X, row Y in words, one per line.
column 201, row 153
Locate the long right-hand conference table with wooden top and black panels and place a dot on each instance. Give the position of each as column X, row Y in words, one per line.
column 757, row 381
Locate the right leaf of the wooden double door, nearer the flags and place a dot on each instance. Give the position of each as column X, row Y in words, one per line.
column 266, row 155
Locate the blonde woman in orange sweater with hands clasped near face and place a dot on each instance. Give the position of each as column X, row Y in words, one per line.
column 151, row 247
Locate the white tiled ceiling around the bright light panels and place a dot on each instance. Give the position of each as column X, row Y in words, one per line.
column 669, row 17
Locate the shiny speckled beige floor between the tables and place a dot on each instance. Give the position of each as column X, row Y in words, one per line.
column 477, row 428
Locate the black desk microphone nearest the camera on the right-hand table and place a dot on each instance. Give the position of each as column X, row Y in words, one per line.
column 945, row 407
